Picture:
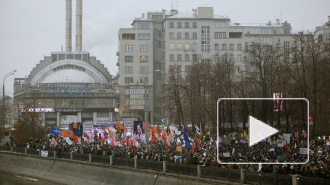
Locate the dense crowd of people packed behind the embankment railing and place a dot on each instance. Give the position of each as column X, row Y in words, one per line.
column 203, row 151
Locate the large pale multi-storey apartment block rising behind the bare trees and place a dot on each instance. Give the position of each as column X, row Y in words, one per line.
column 168, row 40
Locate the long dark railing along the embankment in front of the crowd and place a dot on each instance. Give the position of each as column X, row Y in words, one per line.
column 241, row 176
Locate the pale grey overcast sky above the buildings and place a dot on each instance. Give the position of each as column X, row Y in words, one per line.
column 32, row 29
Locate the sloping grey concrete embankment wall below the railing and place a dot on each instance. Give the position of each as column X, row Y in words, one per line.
column 77, row 172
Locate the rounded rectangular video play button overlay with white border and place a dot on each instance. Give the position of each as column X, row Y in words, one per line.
column 263, row 130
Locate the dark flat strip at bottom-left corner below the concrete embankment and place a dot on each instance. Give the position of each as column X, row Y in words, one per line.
column 13, row 179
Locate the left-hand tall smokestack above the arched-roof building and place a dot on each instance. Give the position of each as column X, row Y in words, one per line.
column 68, row 32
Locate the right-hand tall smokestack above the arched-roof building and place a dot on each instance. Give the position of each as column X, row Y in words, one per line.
column 78, row 25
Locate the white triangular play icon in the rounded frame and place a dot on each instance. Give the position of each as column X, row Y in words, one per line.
column 259, row 130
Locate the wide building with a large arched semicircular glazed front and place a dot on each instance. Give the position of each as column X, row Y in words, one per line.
column 67, row 87
